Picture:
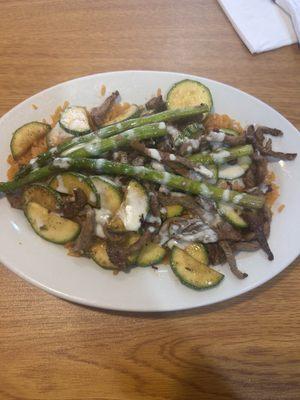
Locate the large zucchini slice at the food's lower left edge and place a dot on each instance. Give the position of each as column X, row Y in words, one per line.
column 49, row 225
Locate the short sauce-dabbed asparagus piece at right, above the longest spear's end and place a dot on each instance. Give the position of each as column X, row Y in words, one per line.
column 222, row 156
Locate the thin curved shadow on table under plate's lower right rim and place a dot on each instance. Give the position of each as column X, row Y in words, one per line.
column 205, row 309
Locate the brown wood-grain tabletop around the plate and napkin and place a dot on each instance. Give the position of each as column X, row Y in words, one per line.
column 246, row 348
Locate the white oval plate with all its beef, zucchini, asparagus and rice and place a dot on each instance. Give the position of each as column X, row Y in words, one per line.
column 148, row 191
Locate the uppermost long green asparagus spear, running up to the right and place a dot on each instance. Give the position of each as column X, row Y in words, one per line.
column 111, row 130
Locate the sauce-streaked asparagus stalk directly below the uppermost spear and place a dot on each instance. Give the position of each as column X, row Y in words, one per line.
column 98, row 147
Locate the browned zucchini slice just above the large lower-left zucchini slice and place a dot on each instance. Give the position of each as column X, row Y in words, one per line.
column 43, row 195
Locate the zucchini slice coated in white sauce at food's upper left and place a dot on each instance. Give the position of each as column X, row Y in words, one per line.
column 75, row 120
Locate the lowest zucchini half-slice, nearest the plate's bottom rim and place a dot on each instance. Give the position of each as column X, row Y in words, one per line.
column 192, row 273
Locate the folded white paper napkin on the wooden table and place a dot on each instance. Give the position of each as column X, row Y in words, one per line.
column 261, row 24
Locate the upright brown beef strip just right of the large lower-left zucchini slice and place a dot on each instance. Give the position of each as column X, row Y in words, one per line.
column 87, row 234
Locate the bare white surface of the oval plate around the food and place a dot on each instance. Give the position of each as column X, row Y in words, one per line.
column 47, row 266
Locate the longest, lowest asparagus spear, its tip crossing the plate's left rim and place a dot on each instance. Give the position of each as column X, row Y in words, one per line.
column 102, row 166
